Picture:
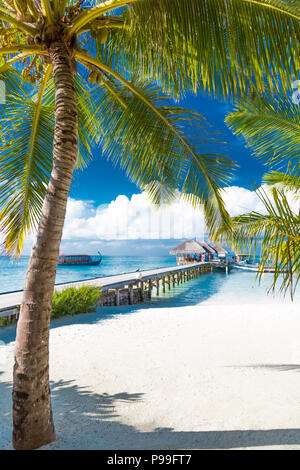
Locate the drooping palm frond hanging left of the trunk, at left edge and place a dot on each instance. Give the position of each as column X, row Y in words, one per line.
column 26, row 161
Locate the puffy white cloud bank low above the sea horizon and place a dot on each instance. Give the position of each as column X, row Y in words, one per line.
column 136, row 218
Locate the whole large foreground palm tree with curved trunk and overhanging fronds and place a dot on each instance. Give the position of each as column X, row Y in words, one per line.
column 122, row 45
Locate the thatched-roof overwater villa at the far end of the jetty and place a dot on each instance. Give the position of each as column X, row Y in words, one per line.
column 195, row 251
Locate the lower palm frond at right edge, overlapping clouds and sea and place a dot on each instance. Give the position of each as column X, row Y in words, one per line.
column 275, row 234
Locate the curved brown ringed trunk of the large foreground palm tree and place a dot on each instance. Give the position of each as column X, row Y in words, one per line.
column 32, row 414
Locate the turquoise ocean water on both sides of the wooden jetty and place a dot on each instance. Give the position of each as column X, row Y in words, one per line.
column 217, row 287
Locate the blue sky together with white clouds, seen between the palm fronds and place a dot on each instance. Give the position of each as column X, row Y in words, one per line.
column 108, row 212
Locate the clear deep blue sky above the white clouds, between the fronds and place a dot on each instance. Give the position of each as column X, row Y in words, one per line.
column 102, row 183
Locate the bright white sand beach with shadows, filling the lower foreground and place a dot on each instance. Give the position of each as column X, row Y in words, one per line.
column 206, row 376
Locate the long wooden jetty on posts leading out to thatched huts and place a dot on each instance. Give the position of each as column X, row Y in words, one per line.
column 121, row 289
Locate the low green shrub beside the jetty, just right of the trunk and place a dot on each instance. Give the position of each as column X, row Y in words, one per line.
column 72, row 301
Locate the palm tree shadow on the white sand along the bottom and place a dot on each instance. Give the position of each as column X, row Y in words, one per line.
column 86, row 420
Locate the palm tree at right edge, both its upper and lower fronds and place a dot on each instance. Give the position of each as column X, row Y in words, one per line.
column 271, row 125
